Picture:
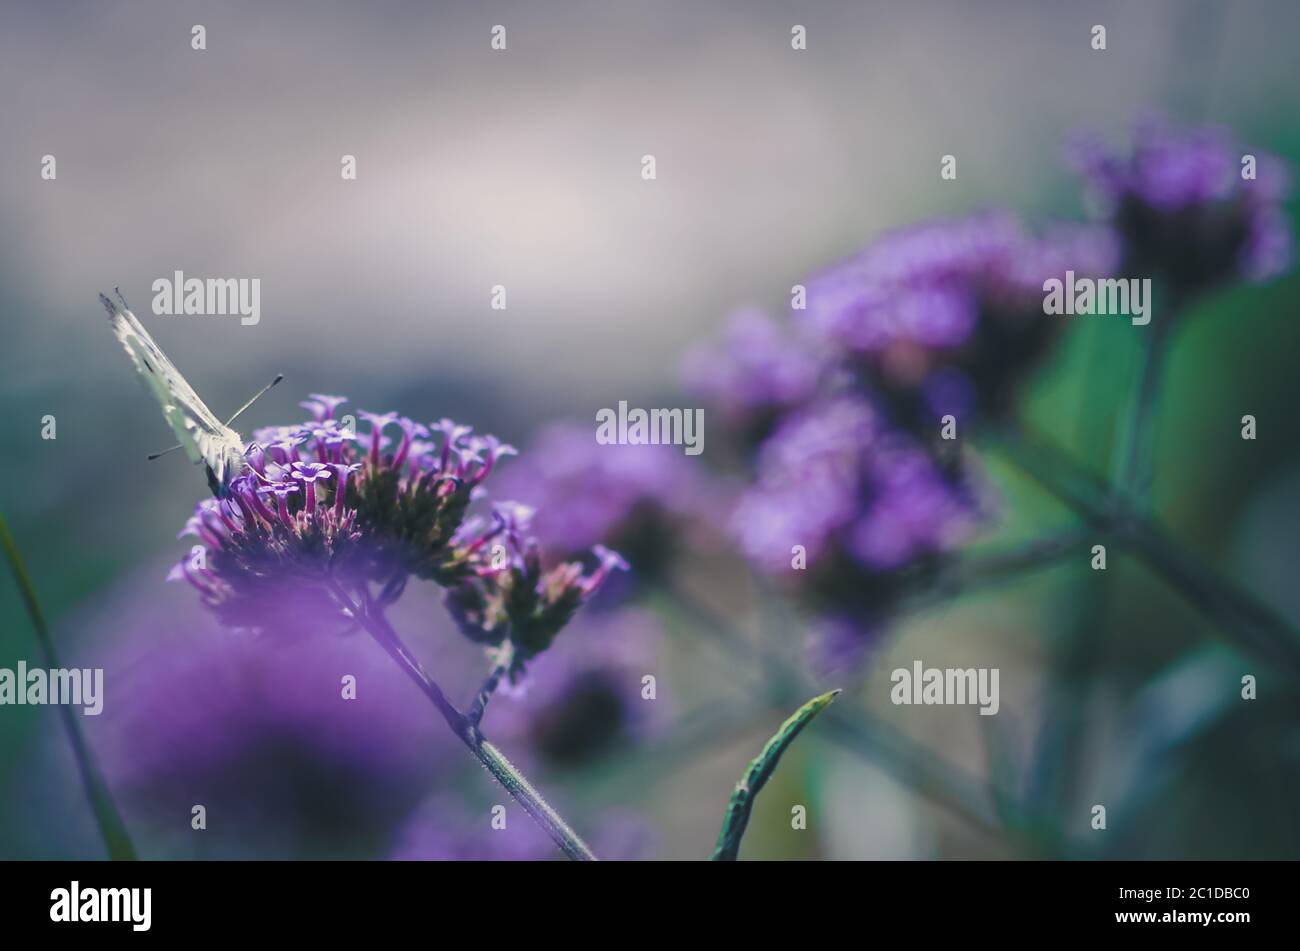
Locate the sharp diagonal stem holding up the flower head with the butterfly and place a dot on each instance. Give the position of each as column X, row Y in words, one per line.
column 372, row 619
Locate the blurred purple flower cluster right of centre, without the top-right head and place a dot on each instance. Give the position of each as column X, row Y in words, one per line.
column 855, row 500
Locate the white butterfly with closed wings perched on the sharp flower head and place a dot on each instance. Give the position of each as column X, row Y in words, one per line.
column 203, row 437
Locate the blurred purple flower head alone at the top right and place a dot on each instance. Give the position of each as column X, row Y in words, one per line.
column 1184, row 210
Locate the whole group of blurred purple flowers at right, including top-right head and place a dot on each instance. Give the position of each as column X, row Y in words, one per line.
column 855, row 494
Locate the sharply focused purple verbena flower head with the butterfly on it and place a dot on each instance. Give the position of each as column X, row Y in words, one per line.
column 326, row 513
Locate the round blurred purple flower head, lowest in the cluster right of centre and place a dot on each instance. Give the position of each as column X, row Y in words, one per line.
column 851, row 511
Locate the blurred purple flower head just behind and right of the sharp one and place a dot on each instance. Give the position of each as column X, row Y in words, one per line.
column 639, row 500
